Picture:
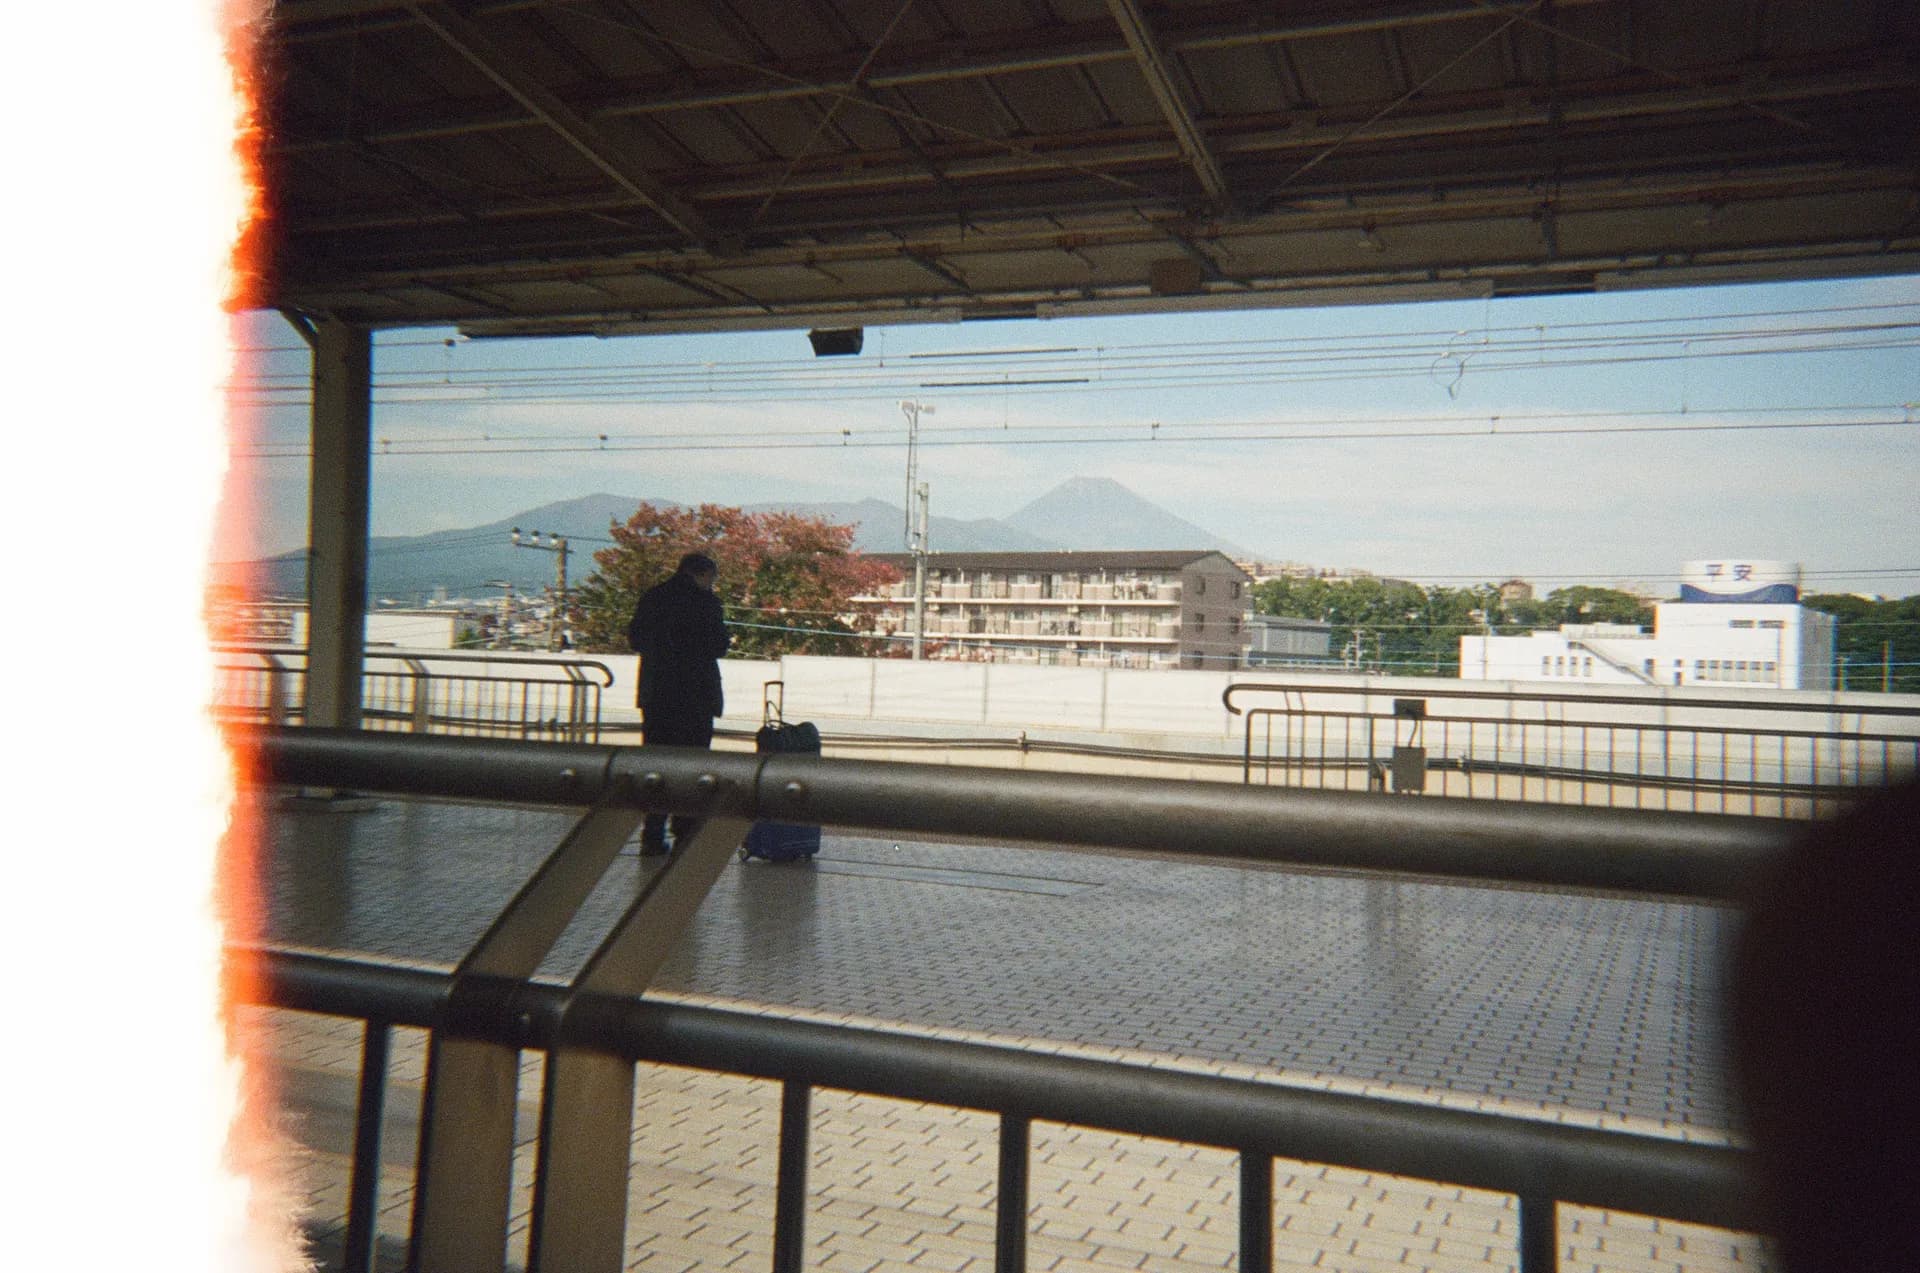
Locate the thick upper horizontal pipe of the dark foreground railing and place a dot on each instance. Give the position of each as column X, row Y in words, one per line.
column 1641, row 852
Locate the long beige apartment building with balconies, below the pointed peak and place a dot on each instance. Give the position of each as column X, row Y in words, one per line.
column 1147, row 610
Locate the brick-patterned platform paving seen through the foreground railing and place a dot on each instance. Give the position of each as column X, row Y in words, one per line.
column 1575, row 1009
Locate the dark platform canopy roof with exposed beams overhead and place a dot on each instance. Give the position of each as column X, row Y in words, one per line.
column 638, row 166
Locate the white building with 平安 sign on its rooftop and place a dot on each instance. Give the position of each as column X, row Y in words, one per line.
column 1739, row 623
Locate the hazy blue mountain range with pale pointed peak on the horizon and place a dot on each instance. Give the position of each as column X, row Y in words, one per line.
column 1080, row 514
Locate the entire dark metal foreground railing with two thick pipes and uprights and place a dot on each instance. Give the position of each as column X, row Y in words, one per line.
column 487, row 1011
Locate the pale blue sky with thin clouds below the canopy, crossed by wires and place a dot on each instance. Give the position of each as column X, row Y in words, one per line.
column 1228, row 454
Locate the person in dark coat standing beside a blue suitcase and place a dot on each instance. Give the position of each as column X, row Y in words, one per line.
column 679, row 631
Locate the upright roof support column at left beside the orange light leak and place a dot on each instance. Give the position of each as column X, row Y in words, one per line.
column 337, row 537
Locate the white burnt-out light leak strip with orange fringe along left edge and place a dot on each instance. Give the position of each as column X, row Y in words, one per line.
column 132, row 1151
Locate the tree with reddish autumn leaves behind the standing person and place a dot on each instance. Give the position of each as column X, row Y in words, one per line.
column 784, row 579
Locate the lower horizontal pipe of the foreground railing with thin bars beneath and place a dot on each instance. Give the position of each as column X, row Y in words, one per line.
column 1541, row 1163
